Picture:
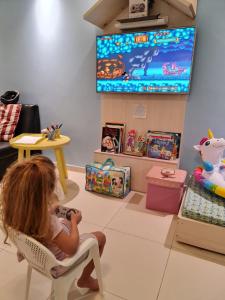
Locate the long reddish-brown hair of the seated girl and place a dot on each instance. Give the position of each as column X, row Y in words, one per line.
column 27, row 188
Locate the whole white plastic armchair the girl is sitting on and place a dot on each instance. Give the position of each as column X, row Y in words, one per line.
column 42, row 260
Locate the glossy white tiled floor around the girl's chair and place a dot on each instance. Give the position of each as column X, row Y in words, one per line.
column 140, row 262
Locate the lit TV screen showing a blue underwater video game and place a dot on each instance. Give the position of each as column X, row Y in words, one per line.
column 146, row 62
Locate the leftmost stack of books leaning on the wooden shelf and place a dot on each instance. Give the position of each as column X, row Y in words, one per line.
column 113, row 137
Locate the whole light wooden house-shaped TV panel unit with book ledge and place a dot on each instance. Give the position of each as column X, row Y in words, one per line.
column 163, row 112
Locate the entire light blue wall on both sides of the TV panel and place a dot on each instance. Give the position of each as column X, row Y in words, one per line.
column 48, row 53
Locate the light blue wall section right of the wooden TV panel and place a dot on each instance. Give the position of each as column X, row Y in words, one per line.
column 206, row 104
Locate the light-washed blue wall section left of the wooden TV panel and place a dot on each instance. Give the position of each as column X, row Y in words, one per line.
column 47, row 52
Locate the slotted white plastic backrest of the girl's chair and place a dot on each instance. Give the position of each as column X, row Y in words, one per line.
column 37, row 255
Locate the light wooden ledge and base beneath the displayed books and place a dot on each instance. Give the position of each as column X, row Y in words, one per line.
column 139, row 166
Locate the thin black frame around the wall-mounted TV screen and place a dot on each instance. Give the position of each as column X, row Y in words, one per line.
column 149, row 93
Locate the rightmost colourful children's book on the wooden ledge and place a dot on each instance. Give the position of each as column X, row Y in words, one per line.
column 163, row 145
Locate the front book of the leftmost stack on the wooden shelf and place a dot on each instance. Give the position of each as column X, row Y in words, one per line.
column 111, row 139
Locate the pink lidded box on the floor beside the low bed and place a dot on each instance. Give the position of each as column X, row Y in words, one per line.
column 165, row 193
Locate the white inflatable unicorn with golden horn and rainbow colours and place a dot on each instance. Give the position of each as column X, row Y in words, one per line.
column 212, row 174
